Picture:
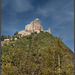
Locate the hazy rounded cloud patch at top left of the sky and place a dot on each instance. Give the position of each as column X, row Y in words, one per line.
column 21, row 5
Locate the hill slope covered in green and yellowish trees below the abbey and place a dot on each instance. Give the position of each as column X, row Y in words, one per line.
column 36, row 56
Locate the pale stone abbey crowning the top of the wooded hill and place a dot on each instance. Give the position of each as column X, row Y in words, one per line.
column 34, row 26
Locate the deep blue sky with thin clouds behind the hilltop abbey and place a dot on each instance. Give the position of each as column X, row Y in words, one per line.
column 56, row 14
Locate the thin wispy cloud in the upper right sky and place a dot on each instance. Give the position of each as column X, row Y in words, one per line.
column 57, row 10
